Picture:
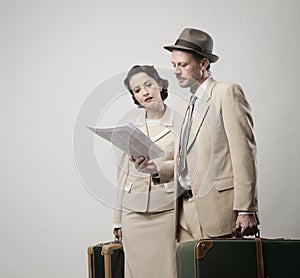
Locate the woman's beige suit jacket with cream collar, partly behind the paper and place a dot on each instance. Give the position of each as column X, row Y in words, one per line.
column 137, row 192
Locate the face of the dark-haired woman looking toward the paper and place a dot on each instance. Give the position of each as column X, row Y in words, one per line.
column 145, row 90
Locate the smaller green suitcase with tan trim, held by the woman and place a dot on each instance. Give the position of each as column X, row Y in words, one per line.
column 106, row 260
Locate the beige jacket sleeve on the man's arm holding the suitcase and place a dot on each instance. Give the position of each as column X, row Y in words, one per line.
column 238, row 124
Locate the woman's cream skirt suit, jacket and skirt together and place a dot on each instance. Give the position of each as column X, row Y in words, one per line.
column 145, row 210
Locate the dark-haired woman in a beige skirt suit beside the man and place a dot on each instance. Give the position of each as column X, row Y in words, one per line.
column 144, row 218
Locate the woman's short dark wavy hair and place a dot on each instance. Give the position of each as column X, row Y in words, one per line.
column 152, row 72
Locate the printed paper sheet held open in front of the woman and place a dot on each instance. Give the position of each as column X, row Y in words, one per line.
column 130, row 139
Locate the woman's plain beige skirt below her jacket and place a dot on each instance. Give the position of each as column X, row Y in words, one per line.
column 149, row 244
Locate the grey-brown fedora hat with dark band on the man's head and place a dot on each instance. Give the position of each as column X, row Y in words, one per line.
column 197, row 41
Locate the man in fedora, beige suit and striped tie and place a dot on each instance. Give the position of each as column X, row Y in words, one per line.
column 216, row 172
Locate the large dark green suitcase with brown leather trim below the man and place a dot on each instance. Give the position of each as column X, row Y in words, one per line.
column 236, row 258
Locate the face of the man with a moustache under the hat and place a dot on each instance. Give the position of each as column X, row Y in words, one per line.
column 186, row 68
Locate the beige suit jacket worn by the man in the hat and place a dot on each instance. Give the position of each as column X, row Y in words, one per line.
column 222, row 158
